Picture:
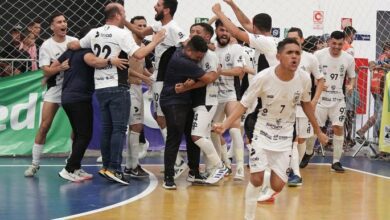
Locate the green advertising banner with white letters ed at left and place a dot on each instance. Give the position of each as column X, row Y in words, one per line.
column 20, row 115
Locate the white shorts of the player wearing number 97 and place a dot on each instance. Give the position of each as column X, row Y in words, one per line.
column 336, row 114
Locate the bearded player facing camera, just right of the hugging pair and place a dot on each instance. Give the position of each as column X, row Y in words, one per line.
column 231, row 60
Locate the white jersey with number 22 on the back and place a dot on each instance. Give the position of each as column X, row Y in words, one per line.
column 110, row 41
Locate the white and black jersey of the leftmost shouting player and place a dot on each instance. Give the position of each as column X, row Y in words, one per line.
column 49, row 52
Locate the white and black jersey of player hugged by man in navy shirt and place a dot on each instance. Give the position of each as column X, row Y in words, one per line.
column 207, row 95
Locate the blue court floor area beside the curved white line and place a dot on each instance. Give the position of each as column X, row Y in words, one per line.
column 47, row 196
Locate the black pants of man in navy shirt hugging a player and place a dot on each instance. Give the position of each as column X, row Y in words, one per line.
column 179, row 121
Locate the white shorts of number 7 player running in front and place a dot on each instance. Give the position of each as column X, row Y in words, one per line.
column 277, row 161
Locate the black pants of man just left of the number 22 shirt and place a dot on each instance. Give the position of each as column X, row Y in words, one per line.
column 80, row 115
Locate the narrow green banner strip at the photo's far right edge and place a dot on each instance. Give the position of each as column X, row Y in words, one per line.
column 384, row 139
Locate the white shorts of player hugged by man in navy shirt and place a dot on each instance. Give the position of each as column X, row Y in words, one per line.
column 201, row 126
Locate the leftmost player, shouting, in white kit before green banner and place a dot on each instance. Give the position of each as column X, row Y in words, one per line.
column 50, row 50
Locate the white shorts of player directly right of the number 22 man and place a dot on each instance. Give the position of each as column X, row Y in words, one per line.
column 137, row 105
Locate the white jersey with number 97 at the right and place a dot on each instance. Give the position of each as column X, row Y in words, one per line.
column 334, row 70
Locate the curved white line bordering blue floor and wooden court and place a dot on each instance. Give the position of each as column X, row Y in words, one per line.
column 152, row 186
